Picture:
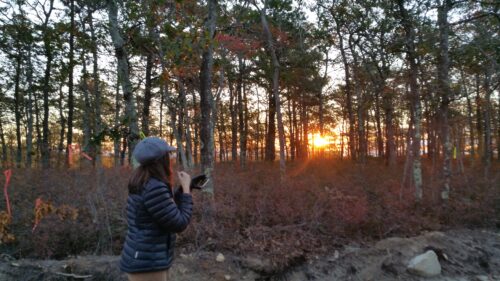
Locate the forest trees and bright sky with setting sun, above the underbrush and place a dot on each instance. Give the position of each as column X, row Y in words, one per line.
column 251, row 81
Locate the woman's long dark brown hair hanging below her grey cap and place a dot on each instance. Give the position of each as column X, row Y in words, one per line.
column 160, row 169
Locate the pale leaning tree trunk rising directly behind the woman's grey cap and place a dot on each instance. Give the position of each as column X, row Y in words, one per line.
column 123, row 68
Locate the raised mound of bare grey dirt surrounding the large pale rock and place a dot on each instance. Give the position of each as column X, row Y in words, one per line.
column 463, row 255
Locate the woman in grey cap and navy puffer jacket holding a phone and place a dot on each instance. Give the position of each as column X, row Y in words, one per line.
column 153, row 216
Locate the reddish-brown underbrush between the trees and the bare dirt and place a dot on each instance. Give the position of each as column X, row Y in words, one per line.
column 320, row 204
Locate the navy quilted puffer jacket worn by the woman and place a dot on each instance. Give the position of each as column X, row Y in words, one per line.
column 153, row 219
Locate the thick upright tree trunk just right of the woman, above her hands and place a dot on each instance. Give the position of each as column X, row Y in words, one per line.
column 206, row 98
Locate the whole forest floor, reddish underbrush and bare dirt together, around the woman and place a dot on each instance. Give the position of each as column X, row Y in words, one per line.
column 327, row 220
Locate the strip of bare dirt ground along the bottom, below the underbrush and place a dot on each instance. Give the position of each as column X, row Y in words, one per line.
column 465, row 255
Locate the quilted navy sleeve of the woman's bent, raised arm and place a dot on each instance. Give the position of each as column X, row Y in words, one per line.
column 170, row 216
